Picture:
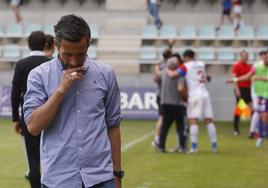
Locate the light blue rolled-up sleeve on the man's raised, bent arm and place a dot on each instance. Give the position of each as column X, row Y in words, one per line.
column 35, row 95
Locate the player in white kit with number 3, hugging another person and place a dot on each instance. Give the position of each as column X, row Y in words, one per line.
column 199, row 104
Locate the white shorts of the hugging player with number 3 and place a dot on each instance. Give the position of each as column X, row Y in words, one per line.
column 199, row 107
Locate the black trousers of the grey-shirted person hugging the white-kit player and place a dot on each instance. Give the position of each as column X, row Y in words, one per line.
column 171, row 113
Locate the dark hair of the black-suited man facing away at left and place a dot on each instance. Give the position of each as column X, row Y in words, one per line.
column 37, row 40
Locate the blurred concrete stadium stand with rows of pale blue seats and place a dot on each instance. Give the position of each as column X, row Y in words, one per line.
column 195, row 30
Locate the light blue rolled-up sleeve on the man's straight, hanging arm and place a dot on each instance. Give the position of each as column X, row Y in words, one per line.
column 112, row 102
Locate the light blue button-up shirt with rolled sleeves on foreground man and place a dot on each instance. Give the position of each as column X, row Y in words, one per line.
column 76, row 147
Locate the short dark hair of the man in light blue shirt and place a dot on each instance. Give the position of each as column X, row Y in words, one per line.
column 71, row 28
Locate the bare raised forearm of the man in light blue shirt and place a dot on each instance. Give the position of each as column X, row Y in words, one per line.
column 43, row 116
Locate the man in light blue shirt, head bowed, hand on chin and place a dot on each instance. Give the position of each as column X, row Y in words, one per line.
column 75, row 103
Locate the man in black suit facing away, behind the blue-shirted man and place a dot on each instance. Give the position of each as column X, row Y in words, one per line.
column 36, row 43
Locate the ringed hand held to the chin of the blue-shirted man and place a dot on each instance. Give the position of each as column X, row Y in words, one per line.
column 69, row 76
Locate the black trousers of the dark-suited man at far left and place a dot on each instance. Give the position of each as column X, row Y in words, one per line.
column 32, row 144
